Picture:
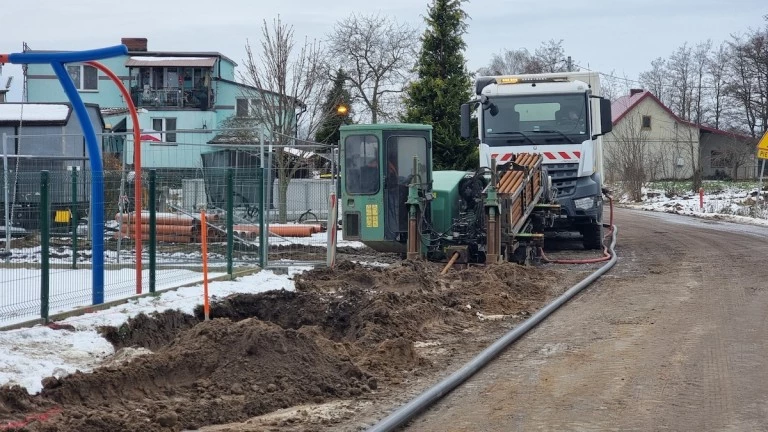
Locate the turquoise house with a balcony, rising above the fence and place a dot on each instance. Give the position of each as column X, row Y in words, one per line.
column 182, row 98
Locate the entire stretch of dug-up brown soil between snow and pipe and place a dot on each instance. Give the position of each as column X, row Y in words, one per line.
column 343, row 333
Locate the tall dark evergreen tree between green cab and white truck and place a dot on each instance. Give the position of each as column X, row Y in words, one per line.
column 443, row 84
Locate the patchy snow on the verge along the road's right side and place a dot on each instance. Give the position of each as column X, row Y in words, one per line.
column 723, row 201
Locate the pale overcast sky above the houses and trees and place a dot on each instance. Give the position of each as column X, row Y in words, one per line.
column 620, row 36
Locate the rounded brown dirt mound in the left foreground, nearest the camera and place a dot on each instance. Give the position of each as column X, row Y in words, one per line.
column 216, row 372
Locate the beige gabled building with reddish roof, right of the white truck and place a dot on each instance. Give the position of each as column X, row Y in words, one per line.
column 669, row 144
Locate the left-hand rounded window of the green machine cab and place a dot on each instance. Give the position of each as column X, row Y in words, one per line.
column 361, row 164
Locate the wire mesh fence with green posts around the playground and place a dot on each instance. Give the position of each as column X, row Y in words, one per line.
column 246, row 188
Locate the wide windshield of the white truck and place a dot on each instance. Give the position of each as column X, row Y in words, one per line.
column 536, row 119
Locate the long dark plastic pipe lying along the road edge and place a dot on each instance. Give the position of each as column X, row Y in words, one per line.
column 432, row 395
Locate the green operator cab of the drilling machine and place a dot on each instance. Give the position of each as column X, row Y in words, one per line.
column 377, row 163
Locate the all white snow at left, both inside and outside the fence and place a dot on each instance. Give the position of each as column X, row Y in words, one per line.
column 30, row 354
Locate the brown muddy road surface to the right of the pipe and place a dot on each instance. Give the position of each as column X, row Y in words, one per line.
column 675, row 337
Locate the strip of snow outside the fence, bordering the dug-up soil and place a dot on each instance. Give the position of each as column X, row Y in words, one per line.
column 31, row 354
